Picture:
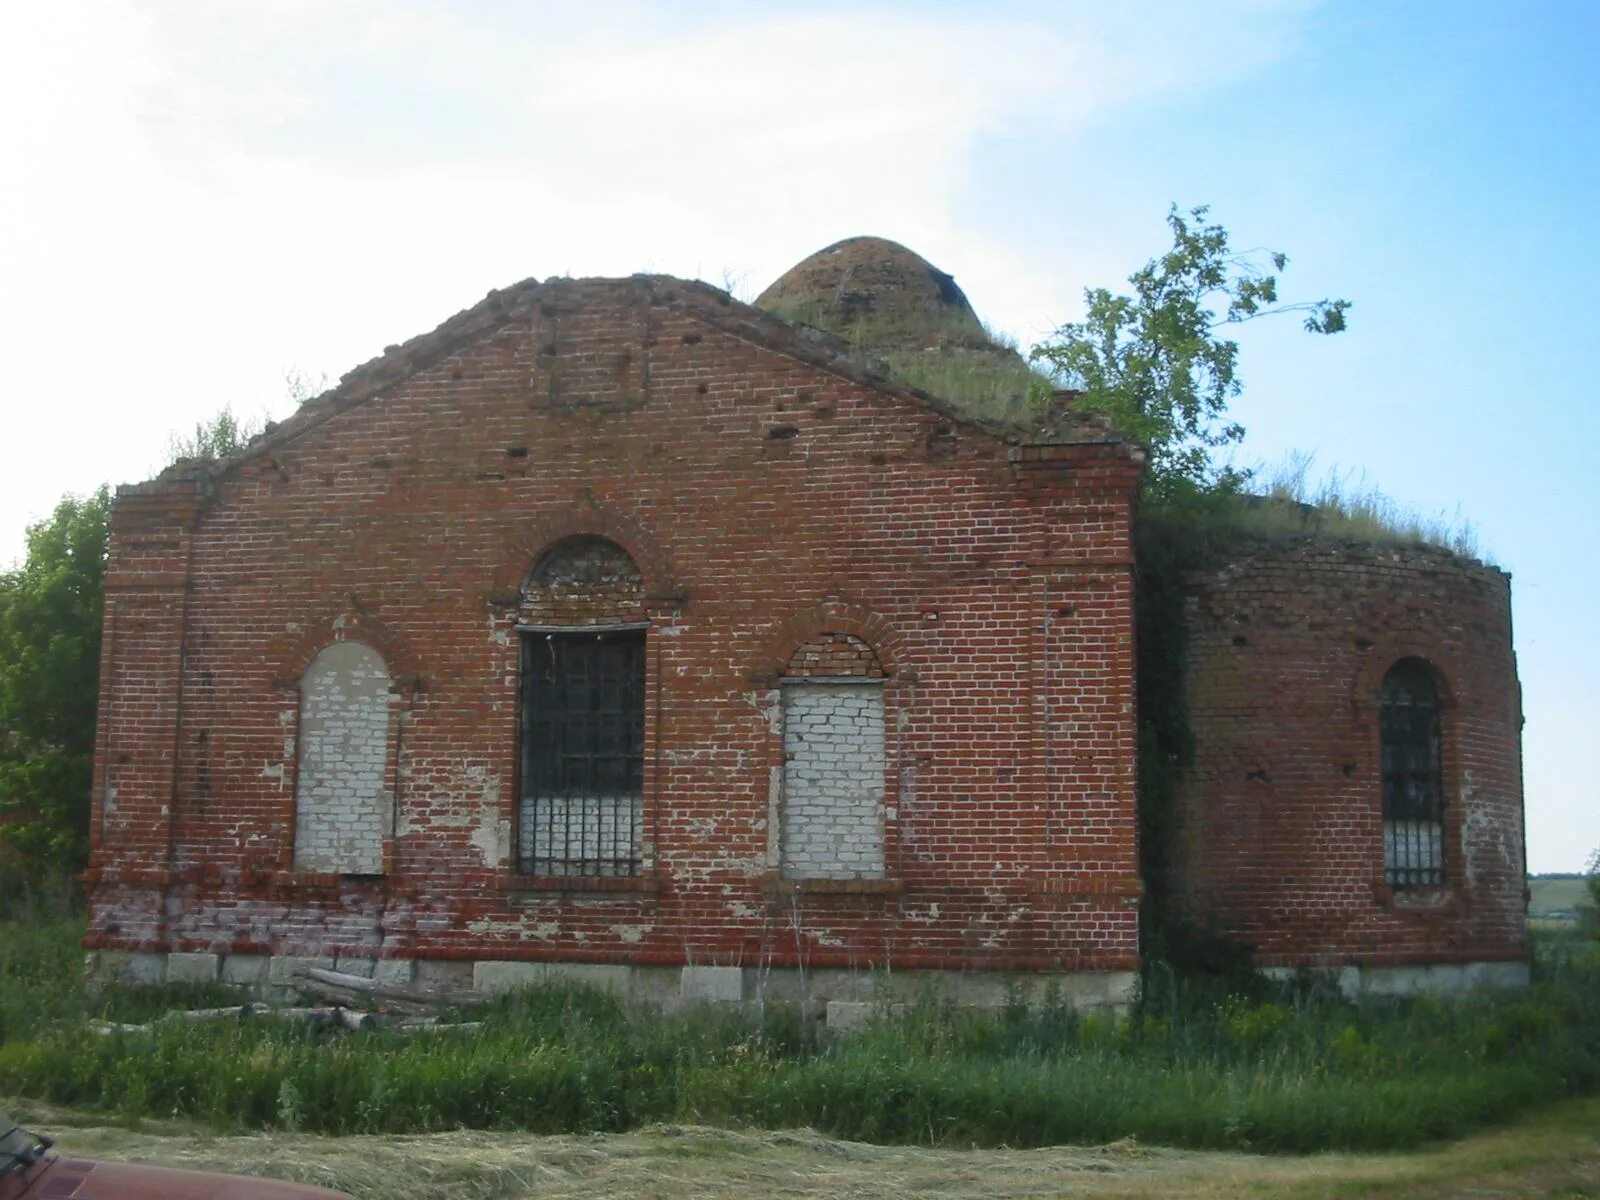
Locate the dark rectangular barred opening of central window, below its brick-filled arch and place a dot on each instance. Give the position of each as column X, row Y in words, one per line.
column 583, row 753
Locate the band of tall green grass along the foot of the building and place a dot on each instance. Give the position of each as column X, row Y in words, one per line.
column 1290, row 1068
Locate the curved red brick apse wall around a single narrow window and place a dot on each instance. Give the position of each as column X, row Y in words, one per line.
column 1281, row 815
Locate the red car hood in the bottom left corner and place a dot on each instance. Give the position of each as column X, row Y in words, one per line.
column 55, row 1178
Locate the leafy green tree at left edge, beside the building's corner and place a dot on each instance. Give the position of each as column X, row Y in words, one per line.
column 50, row 631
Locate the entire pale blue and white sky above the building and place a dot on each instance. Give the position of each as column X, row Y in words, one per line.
column 209, row 206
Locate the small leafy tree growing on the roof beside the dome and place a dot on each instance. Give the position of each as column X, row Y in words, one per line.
column 1154, row 359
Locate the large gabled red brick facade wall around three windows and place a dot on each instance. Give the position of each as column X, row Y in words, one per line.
column 766, row 500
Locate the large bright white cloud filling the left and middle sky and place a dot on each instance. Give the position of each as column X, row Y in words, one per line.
column 209, row 196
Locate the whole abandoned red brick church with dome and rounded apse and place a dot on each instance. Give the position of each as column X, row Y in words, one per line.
column 623, row 631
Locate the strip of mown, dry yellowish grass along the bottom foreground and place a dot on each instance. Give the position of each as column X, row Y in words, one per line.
column 1553, row 1154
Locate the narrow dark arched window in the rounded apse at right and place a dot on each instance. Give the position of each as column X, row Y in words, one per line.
column 1414, row 788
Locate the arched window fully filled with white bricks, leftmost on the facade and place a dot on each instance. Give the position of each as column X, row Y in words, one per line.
column 342, row 807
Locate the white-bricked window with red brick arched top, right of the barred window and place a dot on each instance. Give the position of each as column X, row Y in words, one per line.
column 834, row 764
